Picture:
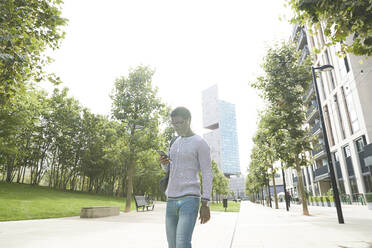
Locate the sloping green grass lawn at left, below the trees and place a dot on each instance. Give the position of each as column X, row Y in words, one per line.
column 25, row 202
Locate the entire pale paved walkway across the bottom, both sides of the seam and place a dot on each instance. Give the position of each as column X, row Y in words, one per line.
column 256, row 226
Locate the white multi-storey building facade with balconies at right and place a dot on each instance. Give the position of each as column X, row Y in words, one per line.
column 346, row 102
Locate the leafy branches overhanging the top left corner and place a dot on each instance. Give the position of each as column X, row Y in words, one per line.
column 28, row 28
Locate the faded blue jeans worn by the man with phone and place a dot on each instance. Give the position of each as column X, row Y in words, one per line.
column 180, row 220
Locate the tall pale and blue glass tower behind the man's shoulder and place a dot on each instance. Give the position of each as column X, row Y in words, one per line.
column 220, row 117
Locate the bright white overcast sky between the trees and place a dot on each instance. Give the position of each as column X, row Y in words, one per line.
column 192, row 45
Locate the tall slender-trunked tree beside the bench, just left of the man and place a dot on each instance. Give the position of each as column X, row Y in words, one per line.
column 137, row 107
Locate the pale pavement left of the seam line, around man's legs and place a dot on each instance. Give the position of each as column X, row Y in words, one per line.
column 142, row 229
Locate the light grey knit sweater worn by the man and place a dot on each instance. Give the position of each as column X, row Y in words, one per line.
column 188, row 156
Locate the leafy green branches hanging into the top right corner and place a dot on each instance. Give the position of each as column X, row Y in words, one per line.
column 343, row 19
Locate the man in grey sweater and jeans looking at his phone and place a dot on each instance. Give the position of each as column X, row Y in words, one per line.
column 188, row 155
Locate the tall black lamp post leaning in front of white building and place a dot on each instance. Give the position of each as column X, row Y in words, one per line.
column 326, row 144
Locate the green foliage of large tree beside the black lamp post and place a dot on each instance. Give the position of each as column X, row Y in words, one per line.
column 280, row 135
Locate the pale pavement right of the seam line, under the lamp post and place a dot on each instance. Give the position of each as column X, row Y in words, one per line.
column 260, row 226
